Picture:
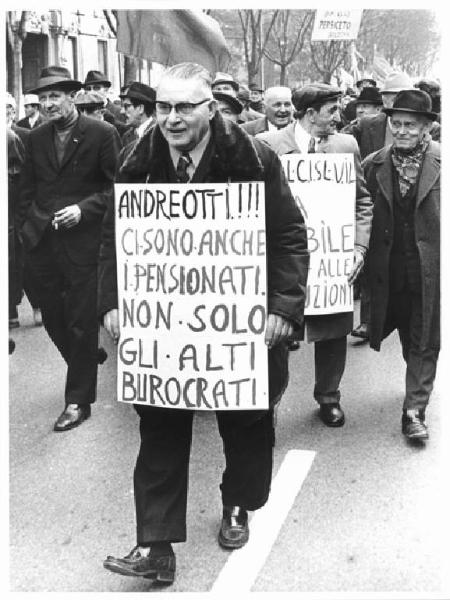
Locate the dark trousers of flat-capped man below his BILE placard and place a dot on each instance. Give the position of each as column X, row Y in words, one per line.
column 329, row 361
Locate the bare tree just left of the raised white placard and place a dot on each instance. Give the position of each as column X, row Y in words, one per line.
column 287, row 38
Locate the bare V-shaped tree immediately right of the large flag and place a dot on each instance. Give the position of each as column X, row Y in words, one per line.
column 255, row 38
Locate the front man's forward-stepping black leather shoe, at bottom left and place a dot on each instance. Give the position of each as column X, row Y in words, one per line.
column 140, row 563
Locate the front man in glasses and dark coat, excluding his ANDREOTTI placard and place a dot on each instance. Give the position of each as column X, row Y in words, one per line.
column 192, row 142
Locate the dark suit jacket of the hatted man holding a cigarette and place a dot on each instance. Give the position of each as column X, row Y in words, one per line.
column 85, row 177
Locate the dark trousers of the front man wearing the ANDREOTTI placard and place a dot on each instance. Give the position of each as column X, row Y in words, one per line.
column 162, row 468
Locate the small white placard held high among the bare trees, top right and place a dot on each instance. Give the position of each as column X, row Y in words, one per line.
column 339, row 24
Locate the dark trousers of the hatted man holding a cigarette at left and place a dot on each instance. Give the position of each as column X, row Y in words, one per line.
column 67, row 296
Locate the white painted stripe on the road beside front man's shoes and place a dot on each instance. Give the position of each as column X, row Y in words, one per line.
column 243, row 565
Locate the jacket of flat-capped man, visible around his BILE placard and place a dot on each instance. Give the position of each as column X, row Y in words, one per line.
column 283, row 142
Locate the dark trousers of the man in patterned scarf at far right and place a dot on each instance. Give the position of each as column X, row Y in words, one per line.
column 404, row 313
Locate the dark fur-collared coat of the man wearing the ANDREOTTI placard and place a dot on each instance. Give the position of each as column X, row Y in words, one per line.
column 235, row 157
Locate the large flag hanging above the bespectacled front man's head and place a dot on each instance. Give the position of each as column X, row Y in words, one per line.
column 173, row 36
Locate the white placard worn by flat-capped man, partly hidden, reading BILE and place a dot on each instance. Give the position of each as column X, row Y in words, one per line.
column 324, row 187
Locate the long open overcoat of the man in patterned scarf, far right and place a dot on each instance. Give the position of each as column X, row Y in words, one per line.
column 378, row 169
